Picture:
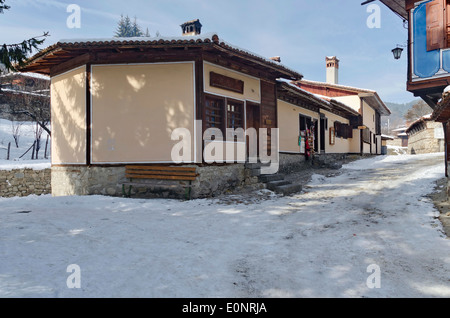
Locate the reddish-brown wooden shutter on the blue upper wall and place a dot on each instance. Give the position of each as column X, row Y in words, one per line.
column 436, row 26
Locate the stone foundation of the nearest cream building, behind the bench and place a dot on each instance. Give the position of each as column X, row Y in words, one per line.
column 82, row 180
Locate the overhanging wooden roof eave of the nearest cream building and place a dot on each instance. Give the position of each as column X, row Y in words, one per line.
column 64, row 52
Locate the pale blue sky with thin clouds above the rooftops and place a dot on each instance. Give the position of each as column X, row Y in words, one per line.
column 302, row 32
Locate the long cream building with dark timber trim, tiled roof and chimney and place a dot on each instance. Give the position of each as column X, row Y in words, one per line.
column 182, row 101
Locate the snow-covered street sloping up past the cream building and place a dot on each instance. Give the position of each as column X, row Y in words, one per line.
column 324, row 242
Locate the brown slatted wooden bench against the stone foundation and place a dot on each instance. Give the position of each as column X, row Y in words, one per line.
column 138, row 175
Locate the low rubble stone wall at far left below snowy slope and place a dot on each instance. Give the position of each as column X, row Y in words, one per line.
column 24, row 182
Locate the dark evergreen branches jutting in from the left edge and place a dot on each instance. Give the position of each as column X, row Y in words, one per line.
column 17, row 53
